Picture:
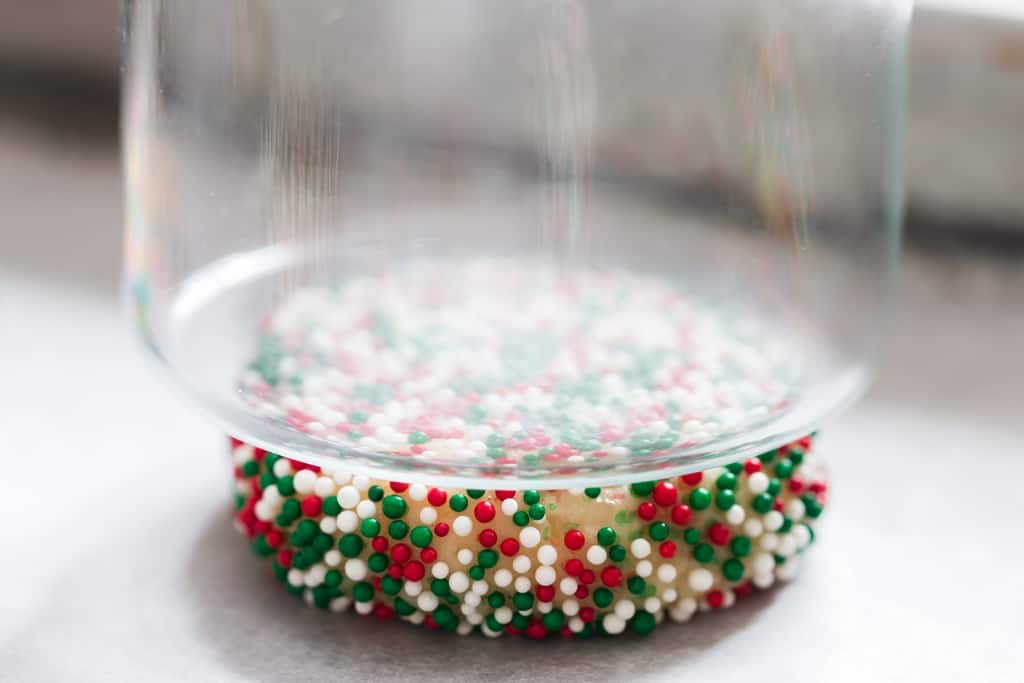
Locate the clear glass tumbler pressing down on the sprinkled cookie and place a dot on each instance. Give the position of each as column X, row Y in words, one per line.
column 535, row 243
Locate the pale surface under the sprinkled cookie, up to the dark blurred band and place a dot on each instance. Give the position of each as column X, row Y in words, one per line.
column 120, row 564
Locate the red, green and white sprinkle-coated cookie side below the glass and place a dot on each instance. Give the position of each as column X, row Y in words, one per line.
column 571, row 563
